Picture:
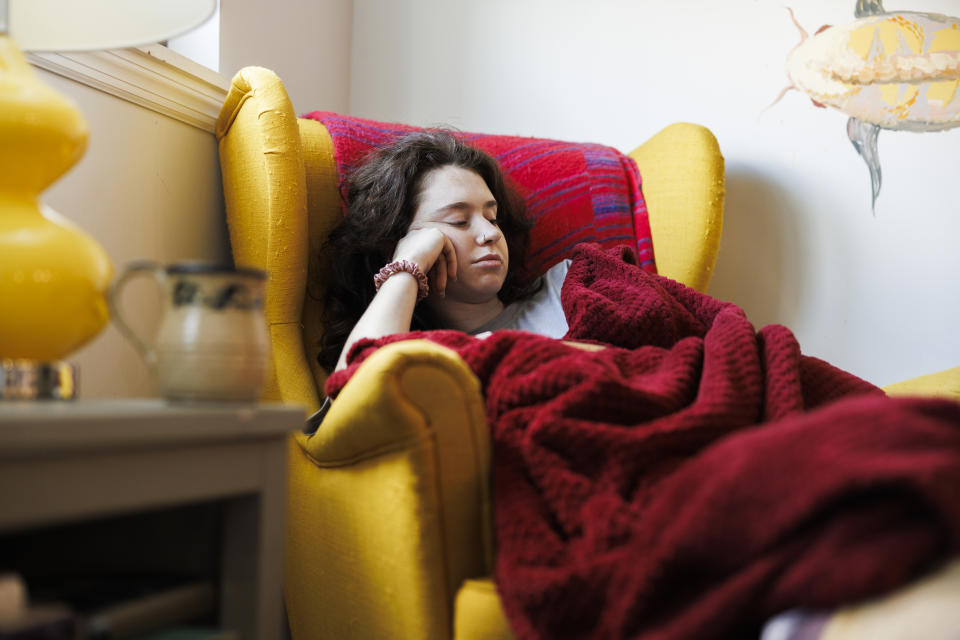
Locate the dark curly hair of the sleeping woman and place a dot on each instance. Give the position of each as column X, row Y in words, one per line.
column 382, row 196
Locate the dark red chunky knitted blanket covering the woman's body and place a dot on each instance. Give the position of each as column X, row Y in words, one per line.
column 700, row 476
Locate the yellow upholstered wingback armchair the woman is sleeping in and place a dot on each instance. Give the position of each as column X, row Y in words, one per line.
column 389, row 525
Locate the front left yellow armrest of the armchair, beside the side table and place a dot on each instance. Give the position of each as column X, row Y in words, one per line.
column 389, row 506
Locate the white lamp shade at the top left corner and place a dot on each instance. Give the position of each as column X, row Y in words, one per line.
column 83, row 25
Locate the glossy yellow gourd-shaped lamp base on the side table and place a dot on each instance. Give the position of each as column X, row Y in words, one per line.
column 53, row 276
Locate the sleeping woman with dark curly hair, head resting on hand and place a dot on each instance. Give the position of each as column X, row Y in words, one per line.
column 433, row 238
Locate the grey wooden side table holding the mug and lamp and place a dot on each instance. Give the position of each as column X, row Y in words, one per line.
column 63, row 462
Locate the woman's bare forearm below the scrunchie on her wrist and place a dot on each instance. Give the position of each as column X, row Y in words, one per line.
column 390, row 312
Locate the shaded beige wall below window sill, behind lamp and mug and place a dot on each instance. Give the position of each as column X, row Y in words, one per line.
column 148, row 187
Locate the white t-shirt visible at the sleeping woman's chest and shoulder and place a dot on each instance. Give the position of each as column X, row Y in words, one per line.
column 542, row 313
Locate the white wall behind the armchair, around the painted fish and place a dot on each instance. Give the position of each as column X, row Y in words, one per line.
column 878, row 295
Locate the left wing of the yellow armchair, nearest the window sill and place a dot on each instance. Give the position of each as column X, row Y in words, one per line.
column 264, row 185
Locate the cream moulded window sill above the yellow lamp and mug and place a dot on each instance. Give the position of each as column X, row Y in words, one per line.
column 152, row 76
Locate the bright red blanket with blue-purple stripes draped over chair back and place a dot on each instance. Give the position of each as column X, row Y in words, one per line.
column 576, row 192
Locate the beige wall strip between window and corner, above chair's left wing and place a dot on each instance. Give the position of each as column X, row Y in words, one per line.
column 306, row 42
